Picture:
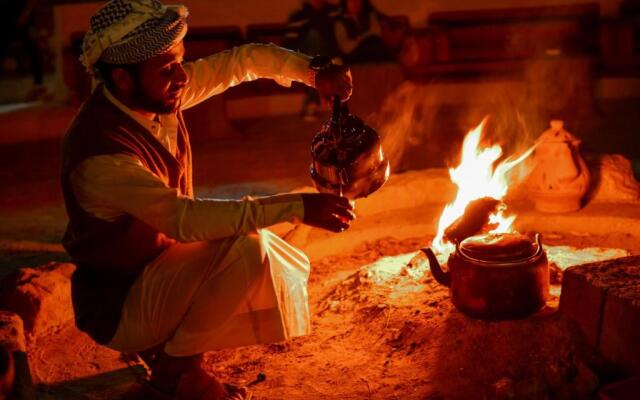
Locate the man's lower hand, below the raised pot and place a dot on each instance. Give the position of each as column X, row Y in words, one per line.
column 327, row 211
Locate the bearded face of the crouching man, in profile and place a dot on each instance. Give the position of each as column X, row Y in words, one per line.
column 160, row 80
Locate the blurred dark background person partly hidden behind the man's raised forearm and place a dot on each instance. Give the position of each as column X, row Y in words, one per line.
column 310, row 30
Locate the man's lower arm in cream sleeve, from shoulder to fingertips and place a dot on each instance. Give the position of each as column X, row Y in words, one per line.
column 111, row 186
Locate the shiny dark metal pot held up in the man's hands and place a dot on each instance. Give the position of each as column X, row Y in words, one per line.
column 347, row 157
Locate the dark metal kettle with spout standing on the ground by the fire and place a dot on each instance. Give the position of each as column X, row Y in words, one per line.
column 495, row 276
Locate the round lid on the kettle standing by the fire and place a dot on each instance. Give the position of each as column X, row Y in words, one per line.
column 498, row 247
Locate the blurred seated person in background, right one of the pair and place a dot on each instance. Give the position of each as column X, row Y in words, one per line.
column 357, row 33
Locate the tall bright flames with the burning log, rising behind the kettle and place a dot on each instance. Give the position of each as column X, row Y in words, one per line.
column 481, row 188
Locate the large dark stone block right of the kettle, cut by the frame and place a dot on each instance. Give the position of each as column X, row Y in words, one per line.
column 604, row 299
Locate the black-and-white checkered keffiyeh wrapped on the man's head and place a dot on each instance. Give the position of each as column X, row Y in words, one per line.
column 131, row 31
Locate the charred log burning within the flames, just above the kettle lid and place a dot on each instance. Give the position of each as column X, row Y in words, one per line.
column 475, row 218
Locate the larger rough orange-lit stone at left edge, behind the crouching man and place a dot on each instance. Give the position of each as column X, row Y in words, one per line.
column 40, row 296
